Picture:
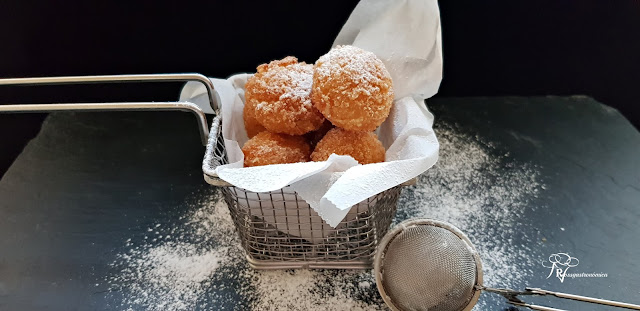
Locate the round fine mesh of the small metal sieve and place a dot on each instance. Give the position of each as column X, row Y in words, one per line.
column 426, row 267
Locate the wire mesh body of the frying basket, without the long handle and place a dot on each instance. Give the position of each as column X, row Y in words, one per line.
column 279, row 230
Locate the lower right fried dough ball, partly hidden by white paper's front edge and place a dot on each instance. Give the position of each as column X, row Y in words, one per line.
column 362, row 146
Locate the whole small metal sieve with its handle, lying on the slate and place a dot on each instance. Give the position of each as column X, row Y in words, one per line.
column 426, row 264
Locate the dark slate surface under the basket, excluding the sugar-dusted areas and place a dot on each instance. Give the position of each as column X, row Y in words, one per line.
column 90, row 181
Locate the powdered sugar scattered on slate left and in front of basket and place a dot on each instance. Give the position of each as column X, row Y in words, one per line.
column 207, row 270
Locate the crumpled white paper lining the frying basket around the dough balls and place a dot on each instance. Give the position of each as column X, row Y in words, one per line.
column 405, row 35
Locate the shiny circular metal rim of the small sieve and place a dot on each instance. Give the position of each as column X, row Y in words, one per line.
column 384, row 243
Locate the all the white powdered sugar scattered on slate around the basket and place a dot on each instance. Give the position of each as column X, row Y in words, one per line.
column 198, row 264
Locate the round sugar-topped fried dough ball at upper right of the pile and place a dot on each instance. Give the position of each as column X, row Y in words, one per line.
column 352, row 88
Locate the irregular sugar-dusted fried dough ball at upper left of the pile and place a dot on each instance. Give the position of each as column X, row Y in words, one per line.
column 279, row 94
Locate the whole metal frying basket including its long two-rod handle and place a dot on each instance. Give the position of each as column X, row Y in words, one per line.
column 277, row 229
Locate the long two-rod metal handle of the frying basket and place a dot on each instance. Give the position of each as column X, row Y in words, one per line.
column 199, row 112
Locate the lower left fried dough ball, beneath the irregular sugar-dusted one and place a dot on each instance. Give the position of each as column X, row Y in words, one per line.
column 270, row 148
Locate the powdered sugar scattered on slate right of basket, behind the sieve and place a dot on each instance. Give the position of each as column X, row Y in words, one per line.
column 484, row 194
